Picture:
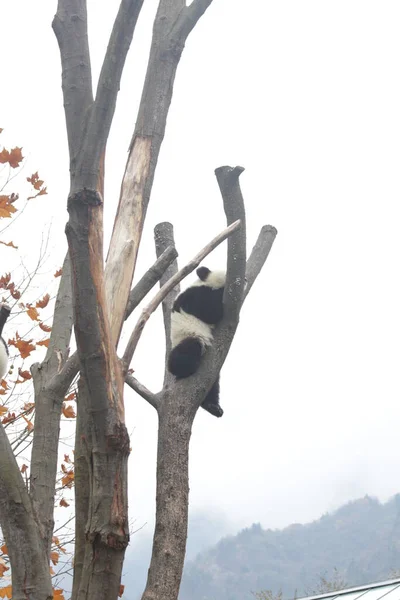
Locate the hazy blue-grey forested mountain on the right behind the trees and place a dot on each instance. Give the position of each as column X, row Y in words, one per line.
column 361, row 540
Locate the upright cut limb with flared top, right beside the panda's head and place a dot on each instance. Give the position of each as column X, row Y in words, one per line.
column 228, row 181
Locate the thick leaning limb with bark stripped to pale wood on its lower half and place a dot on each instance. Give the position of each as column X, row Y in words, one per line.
column 166, row 48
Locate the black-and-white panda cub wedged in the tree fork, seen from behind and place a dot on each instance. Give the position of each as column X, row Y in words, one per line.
column 194, row 314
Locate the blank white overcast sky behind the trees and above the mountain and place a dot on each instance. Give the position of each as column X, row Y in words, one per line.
column 305, row 94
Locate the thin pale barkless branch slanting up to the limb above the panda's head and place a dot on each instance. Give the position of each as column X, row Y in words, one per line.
column 167, row 287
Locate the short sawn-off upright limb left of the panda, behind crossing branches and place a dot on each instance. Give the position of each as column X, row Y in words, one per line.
column 163, row 238
